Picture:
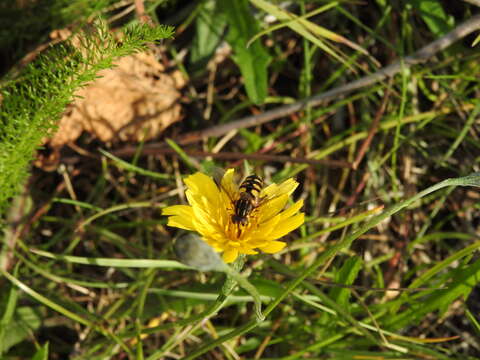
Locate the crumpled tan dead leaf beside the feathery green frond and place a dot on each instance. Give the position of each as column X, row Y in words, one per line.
column 134, row 101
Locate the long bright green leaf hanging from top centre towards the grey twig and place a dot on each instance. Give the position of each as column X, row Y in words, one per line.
column 252, row 61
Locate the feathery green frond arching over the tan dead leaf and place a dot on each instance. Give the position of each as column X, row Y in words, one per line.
column 33, row 102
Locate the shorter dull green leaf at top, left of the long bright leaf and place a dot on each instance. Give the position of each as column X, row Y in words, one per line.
column 209, row 27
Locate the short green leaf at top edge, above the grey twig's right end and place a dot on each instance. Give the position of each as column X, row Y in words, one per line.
column 434, row 16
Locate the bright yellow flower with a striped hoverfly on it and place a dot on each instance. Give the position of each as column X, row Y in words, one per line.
column 211, row 209
